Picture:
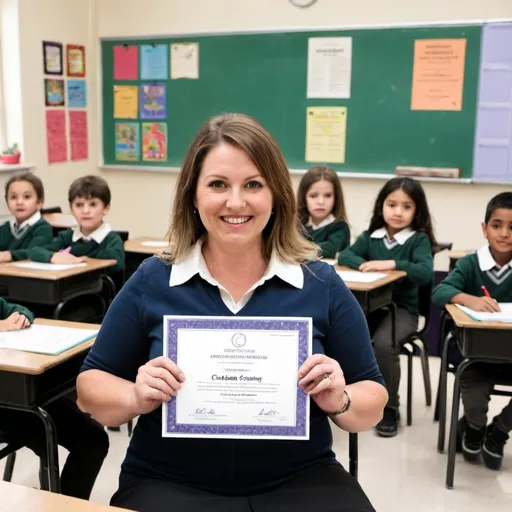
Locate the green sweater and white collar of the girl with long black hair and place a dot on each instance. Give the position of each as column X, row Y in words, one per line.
column 411, row 252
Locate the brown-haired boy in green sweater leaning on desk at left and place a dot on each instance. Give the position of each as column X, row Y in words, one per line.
column 89, row 199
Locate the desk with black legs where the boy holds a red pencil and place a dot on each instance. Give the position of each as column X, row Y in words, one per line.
column 479, row 342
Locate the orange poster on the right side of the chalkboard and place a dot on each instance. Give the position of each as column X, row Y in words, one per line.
column 438, row 74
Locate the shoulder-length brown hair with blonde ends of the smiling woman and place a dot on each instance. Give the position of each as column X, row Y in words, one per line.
column 282, row 235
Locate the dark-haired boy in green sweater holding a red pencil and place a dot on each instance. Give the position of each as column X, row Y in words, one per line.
column 480, row 281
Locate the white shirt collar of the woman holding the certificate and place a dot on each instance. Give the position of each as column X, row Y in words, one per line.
column 185, row 270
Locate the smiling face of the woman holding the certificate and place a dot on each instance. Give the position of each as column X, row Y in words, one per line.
column 232, row 198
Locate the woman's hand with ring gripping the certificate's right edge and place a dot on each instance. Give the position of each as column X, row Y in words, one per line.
column 322, row 378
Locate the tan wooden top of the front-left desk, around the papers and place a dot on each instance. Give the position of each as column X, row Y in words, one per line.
column 29, row 363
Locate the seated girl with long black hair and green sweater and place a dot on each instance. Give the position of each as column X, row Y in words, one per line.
column 401, row 237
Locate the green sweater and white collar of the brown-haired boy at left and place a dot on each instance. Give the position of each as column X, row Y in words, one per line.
column 103, row 244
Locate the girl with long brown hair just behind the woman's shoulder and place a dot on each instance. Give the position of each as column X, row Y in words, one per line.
column 322, row 210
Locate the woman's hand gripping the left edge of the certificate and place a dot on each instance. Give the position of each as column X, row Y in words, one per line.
column 157, row 381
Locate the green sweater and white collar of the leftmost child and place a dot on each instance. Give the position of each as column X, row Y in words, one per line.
column 32, row 233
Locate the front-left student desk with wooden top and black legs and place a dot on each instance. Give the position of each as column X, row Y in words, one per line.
column 30, row 381
